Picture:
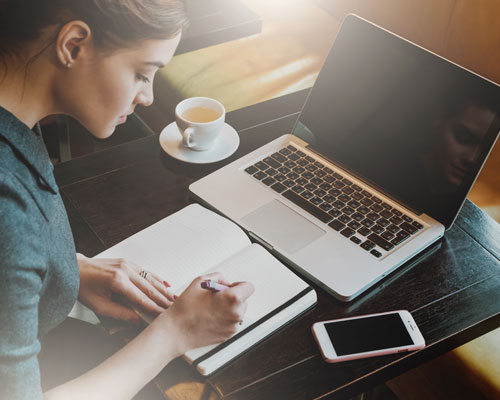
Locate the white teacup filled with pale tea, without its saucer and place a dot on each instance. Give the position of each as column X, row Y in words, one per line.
column 200, row 121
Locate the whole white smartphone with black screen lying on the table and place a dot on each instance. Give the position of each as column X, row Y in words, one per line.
column 367, row 336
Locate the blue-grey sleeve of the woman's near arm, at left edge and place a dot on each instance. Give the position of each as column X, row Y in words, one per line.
column 21, row 273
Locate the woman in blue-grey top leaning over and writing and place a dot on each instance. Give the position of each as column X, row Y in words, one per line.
column 93, row 60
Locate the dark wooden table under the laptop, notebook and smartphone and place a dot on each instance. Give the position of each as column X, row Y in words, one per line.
column 452, row 290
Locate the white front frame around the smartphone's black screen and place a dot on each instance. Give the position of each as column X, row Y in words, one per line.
column 328, row 348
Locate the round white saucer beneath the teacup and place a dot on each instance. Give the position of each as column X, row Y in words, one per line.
column 226, row 144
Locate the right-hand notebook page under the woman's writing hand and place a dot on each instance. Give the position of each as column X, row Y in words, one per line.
column 274, row 285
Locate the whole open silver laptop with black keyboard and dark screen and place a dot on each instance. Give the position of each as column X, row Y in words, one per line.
column 377, row 167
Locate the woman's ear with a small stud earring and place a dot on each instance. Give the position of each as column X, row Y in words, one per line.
column 72, row 41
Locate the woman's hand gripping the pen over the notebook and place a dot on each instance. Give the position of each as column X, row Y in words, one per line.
column 200, row 317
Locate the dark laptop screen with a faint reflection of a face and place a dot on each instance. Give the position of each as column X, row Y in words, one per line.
column 402, row 119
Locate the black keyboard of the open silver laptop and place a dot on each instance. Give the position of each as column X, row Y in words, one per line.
column 355, row 213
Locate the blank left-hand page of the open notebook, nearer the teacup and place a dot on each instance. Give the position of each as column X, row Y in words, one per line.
column 183, row 245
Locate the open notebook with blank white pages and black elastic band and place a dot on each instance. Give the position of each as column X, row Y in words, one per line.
column 195, row 241
